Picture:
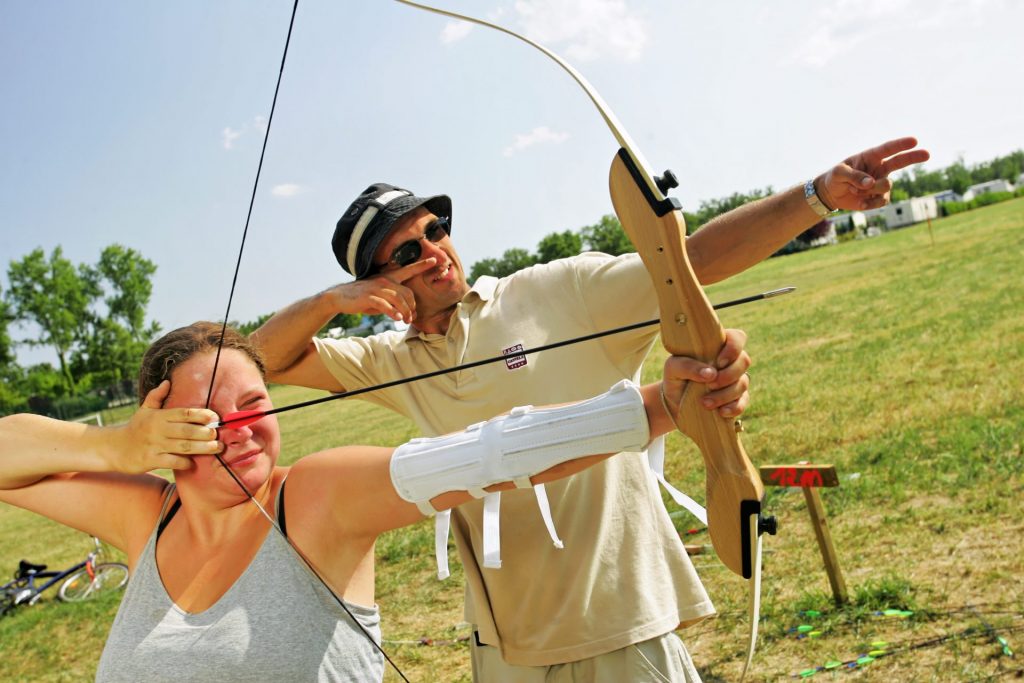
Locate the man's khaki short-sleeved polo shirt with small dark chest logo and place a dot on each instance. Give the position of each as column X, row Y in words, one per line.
column 624, row 576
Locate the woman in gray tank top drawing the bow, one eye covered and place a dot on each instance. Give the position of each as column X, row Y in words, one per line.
column 217, row 593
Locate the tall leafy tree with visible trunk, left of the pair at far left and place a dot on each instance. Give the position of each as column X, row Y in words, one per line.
column 57, row 297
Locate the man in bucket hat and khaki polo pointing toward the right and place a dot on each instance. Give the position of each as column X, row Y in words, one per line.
column 605, row 608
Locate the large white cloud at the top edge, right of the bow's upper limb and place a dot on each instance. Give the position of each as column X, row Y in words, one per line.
column 589, row 29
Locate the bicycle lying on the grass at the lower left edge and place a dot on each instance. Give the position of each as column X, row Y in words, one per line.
column 80, row 582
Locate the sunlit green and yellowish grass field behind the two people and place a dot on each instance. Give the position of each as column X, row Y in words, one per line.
column 900, row 361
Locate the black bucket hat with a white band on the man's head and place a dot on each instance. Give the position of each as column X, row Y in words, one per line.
column 369, row 220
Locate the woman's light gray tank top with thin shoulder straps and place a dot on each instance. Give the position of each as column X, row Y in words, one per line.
column 276, row 623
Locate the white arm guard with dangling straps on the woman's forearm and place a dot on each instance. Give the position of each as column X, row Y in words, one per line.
column 514, row 448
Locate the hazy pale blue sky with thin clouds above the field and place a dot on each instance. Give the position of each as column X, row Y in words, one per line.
column 141, row 123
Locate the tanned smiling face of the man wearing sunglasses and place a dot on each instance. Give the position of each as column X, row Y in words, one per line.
column 440, row 288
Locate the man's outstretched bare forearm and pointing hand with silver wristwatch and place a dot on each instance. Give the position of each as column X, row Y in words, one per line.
column 745, row 237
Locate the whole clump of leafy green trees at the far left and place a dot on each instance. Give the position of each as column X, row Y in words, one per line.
column 93, row 317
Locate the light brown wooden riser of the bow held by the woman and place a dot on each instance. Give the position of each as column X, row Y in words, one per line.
column 691, row 328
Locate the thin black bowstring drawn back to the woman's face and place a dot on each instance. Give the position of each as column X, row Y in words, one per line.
column 221, row 345
